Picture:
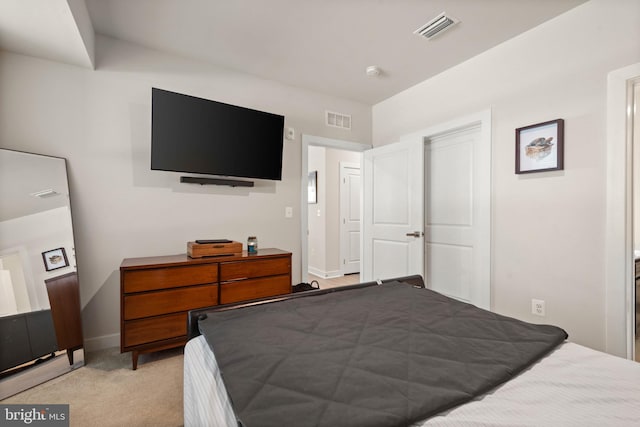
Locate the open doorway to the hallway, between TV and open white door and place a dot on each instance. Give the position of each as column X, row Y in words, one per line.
column 322, row 250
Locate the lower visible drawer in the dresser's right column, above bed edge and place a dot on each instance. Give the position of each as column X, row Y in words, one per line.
column 254, row 288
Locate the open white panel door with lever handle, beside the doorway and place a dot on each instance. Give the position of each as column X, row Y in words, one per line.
column 393, row 204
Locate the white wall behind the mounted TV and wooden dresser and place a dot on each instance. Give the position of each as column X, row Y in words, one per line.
column 100, row 120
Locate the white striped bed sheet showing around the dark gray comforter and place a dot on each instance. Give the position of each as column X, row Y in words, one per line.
column 572, row 386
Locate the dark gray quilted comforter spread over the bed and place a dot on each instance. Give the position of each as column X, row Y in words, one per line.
column 386, row 355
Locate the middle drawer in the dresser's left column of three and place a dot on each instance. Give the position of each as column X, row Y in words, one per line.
column 169, row 301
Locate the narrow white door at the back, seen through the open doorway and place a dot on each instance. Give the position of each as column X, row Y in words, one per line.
column 349, row 218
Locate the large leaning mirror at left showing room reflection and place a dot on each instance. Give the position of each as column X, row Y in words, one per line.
column 40, row 325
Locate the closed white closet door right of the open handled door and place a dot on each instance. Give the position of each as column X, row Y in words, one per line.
column 457, row 220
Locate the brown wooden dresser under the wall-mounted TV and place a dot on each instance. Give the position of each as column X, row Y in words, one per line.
column 157, row 292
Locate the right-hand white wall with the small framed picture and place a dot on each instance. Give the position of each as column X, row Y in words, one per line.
column 548, row 228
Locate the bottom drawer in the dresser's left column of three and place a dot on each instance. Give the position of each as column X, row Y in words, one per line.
column 158, row 328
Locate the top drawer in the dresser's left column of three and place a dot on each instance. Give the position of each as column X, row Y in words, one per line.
column 169, row 277
